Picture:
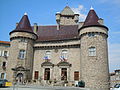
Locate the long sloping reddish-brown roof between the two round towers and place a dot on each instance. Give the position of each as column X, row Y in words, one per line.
column 48, row 33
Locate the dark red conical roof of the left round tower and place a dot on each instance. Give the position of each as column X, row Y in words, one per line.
column 23, row 25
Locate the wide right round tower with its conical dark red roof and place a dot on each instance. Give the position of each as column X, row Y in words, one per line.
column 94, row 53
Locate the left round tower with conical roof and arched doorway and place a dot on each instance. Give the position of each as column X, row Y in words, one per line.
column 21, row 51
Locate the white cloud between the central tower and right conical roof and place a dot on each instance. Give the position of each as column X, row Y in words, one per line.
column 80, row 11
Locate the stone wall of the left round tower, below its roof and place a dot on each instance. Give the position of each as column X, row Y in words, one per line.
column 14, row 61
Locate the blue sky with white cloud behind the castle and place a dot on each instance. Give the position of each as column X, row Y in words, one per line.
column 43, row 13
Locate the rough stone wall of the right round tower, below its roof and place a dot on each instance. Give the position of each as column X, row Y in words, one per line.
column 94, row 68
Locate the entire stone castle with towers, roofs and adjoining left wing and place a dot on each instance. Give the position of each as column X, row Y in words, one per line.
column 69, row 51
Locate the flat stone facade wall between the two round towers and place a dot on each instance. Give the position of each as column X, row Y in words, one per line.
column 73, row 59
